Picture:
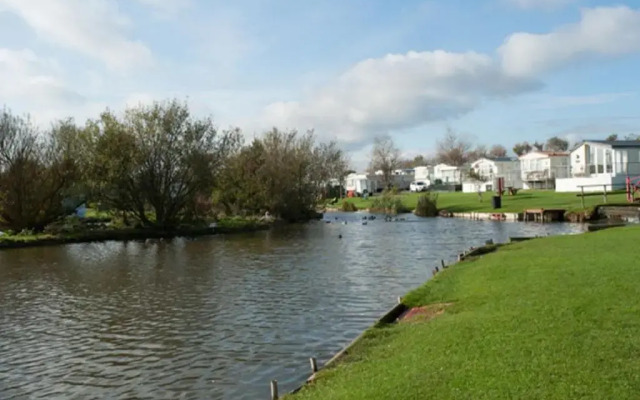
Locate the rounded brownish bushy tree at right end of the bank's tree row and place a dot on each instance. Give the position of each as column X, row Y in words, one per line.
column 284, row 173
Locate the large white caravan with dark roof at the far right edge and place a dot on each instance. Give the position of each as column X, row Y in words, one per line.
column 598, row 165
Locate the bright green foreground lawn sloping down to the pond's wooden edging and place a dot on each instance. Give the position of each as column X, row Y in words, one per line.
column 552, row 318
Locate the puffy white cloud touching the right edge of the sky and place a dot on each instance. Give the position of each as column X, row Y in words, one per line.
column 601, row 31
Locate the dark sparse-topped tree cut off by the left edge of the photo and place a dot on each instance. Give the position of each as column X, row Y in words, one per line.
column 37, row 173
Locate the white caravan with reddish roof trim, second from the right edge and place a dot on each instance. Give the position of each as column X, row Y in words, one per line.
column 540, row 169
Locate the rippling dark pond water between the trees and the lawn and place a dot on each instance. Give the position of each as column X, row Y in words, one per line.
column 216, row 317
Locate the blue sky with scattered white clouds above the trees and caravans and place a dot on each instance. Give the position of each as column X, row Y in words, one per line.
column 495, row 71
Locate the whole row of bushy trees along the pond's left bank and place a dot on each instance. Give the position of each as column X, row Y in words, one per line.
column 158, row 166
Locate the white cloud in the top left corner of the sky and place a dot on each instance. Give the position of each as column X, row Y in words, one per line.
column 92, row 27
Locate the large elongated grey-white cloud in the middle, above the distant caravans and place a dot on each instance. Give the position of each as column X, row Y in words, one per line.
column 399, row 91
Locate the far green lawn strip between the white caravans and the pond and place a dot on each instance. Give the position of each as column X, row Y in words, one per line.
column 467, row 202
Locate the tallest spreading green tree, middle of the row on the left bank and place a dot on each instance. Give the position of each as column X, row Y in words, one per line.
column 157, row 159
